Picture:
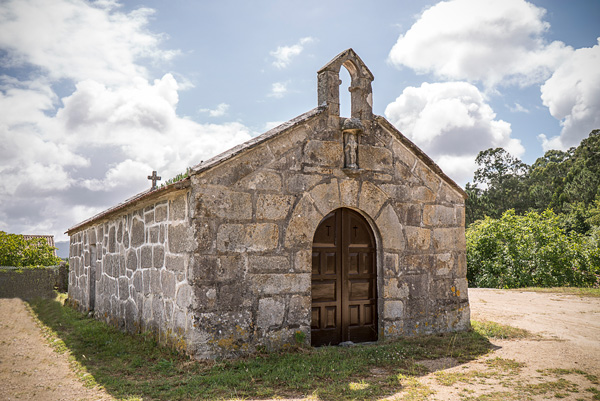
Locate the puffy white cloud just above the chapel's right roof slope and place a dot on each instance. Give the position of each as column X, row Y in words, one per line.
column 451, row 122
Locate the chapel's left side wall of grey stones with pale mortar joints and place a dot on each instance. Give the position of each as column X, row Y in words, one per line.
column 131, row 269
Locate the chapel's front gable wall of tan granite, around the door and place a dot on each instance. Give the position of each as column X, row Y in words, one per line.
column 255, row 216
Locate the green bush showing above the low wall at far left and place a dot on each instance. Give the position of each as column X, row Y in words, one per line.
column 15, row 250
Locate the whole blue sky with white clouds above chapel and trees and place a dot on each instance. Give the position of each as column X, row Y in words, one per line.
column 96, row 95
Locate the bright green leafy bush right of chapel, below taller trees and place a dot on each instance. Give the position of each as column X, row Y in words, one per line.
column 530, row 250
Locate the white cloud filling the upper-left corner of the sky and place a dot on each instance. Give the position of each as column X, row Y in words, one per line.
column 78, row 39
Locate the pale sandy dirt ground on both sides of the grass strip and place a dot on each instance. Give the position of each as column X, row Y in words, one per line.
column 557, row 363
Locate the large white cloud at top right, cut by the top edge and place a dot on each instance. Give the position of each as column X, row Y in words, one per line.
column 488, row 41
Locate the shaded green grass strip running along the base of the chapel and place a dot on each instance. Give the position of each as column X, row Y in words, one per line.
column 134, row 366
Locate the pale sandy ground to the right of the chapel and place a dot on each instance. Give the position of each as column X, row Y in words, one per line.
column 567, row 329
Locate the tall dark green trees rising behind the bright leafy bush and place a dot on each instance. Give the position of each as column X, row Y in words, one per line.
column 566, row 182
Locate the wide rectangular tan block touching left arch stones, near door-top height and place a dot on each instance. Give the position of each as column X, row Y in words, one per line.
column 258, row 237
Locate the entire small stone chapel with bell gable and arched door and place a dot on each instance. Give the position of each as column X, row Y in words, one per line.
column 324, row 229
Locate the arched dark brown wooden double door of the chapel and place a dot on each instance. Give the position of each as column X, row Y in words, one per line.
column 344, row 280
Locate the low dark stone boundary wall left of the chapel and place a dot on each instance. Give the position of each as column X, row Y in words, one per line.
column 26, row 283
